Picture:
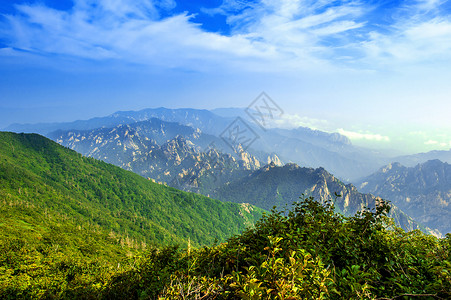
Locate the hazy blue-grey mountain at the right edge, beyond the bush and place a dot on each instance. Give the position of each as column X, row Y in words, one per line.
column 423, row 191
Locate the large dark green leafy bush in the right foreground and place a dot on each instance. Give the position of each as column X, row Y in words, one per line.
column 312, row 252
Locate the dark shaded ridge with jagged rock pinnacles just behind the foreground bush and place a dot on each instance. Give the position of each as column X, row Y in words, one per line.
column 281, row 186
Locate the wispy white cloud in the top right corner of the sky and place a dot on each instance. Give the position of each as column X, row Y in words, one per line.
column 421, row 33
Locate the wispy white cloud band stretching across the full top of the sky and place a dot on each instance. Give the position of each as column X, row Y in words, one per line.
column 288, row 34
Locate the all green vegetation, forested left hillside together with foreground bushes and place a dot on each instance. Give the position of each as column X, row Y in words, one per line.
column 72, row 227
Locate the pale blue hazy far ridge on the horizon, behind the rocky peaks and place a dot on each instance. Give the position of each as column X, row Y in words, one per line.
column 302, row 146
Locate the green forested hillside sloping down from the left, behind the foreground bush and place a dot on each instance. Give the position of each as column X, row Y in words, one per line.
column 65, row 217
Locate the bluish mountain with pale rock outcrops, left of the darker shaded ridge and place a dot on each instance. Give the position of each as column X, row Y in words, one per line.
column 154, row 149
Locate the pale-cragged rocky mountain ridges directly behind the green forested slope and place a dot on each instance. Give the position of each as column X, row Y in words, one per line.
column 154, row 149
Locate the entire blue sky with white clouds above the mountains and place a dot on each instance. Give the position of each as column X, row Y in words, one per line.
column 376, row 71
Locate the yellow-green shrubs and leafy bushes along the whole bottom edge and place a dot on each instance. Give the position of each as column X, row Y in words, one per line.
column 310, row 252
